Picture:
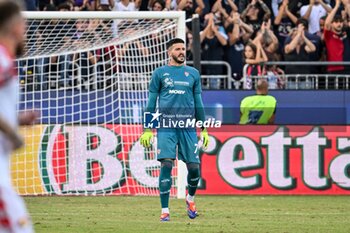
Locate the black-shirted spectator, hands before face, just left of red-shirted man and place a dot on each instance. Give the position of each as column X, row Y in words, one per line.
column 299, row 49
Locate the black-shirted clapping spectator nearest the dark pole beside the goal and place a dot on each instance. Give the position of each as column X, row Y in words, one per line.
column 213, row 42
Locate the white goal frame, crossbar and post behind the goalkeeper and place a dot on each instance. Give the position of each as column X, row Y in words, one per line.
column 181, row 33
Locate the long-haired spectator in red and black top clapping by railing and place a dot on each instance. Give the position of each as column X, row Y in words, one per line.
column 254, row 55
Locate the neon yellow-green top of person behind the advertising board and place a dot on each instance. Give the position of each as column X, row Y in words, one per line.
column 257, row 109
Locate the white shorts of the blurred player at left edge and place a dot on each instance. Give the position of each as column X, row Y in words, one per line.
column 13, row 213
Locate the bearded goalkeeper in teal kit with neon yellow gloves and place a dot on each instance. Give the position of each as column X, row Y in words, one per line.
column 178, row 89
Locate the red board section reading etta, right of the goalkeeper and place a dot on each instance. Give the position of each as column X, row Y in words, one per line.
column 277, row 160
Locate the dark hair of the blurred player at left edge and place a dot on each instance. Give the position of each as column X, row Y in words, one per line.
column 8, row 10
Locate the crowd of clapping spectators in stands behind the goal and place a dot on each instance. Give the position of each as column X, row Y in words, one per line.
column 248, row 31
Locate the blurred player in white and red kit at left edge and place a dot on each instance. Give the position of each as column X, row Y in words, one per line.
column 13, row 214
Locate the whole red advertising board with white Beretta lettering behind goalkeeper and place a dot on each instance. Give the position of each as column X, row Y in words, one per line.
column 240, row 160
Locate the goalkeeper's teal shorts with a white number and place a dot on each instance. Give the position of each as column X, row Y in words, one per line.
column 186, row 140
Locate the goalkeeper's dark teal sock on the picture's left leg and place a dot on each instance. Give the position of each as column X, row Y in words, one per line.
column 165, row 182
